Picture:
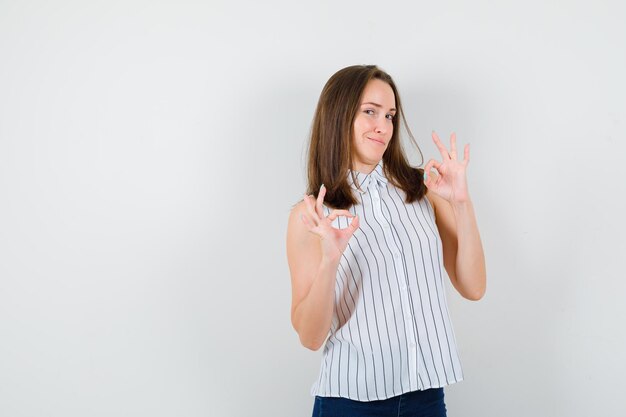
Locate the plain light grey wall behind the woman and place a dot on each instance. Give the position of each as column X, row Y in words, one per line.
column 150, row 152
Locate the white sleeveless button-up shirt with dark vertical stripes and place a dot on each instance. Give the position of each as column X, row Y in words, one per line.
column 391, row 331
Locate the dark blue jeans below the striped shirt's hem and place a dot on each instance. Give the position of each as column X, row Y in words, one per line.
column 428, row 403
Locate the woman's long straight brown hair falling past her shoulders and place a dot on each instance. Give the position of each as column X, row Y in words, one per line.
column 330, row 146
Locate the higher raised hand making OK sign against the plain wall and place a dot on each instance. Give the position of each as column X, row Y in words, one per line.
column 451, row 183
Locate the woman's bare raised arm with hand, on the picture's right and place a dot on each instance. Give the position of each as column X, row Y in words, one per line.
column 463, row 255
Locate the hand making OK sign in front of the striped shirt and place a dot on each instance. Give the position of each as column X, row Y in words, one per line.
column 333, row 241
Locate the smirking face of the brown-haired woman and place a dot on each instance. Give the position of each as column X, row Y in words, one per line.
column 373, row 125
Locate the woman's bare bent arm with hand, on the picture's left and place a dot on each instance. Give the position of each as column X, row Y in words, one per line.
column 314, row 249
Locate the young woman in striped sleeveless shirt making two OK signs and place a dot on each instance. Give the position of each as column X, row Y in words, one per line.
column 366, row 249
